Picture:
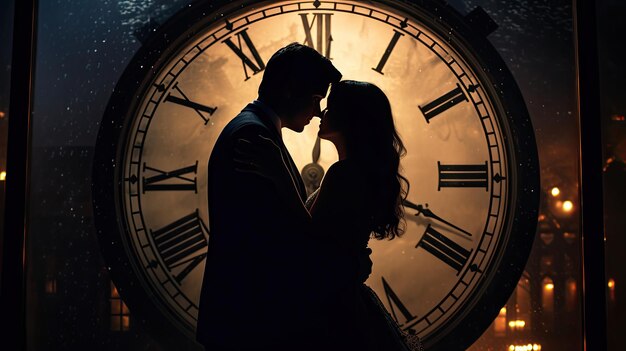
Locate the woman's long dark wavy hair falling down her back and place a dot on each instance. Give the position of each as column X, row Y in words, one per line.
column 365, row 120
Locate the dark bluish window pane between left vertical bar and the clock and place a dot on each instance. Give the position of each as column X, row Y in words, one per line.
column 82, row 48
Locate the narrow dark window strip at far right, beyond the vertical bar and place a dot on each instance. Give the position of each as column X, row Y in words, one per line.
column 613, row 104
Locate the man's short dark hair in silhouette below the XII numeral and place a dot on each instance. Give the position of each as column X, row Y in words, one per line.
column 299, row 70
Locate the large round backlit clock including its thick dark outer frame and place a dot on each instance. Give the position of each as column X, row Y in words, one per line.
column 472, row 160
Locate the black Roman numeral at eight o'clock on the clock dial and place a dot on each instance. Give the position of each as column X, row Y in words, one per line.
column 182, row 244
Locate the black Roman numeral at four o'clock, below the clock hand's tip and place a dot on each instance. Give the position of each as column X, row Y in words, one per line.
column 451, row 253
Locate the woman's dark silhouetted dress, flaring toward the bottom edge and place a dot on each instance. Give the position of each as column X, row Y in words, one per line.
column 342, row 211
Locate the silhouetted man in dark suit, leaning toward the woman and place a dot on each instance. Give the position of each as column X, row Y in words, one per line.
column 262, row 276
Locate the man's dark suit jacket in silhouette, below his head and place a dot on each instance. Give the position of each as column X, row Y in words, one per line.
column 262, row 269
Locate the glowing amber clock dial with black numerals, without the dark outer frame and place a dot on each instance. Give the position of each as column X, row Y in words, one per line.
column 458, row 162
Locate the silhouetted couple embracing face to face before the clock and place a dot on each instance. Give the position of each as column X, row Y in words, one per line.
column 287, row 272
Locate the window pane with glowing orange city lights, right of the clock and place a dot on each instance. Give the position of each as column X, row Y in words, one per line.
column 536, row 40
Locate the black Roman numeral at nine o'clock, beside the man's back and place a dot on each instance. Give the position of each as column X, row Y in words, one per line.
column 176, row 180
